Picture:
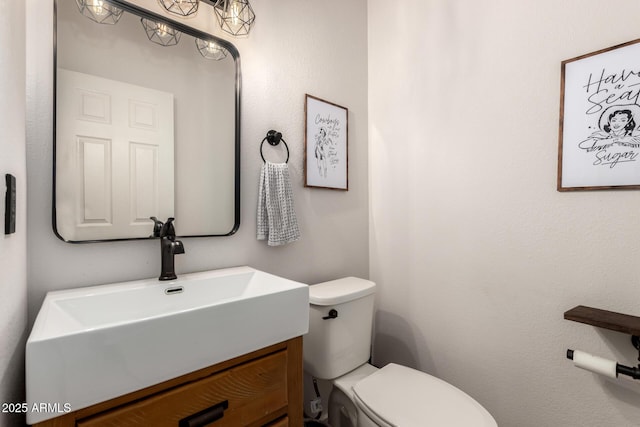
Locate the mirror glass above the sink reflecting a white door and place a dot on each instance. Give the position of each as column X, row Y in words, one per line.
column 143, row 130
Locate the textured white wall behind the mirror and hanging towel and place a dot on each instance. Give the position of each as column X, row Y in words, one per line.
column 297, row 47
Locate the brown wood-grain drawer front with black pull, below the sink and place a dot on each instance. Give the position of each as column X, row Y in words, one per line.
column 252, row 391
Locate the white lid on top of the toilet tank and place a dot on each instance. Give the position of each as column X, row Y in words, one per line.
column 341, row 290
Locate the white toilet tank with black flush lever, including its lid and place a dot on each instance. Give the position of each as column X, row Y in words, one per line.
column 338, row 344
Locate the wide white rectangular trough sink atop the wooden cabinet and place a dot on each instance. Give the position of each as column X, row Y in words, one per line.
column 92, row 344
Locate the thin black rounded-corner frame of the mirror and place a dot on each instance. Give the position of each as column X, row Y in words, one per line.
column 182, row 27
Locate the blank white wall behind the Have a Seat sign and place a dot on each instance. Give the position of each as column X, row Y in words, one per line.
column 476, row 253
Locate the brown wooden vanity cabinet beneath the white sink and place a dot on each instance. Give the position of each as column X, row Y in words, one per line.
column 263, row 388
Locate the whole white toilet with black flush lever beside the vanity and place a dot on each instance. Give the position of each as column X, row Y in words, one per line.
column 337, row 348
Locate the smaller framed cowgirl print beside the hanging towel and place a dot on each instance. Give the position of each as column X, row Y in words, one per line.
column 325, row 144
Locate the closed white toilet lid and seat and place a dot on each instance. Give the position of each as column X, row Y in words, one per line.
column 400, row 396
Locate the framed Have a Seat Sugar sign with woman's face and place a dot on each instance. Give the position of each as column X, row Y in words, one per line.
column 599, row 141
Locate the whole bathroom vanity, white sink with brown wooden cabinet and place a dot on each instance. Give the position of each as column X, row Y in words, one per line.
column 219, row 346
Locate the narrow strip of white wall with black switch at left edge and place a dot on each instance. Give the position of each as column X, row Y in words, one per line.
column 13, row 247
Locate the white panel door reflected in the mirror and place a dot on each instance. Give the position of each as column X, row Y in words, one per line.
column 115, row 157
